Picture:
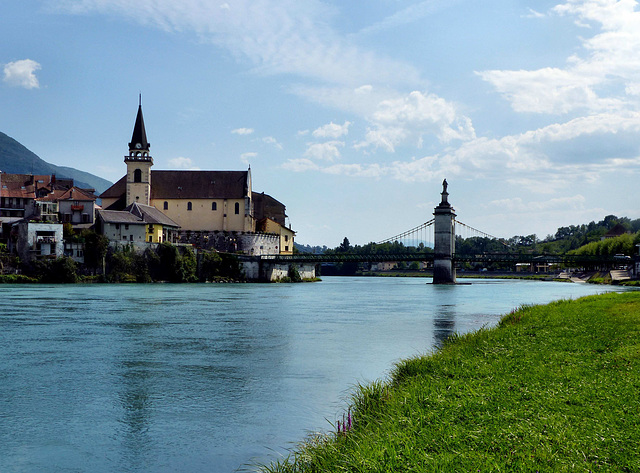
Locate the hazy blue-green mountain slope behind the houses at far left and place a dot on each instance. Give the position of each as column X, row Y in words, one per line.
column 16, row 159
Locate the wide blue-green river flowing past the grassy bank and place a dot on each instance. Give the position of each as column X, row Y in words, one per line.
column 212, row 377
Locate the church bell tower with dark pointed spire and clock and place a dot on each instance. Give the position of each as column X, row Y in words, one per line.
column 139, row 163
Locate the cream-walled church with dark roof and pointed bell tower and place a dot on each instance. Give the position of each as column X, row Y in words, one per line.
column 213, row 209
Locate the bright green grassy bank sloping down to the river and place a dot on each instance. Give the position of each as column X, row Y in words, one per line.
column 552, row 388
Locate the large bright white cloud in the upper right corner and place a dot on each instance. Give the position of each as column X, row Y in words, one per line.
column 607, row 78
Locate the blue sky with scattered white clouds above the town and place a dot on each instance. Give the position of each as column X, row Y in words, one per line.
column 351, row 113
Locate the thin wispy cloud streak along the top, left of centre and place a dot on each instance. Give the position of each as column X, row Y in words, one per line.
column 297, row 39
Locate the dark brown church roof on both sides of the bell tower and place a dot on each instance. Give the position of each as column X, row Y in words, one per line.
column 189, row 185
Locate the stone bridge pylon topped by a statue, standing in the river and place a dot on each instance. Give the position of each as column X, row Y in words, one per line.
column 444, row 272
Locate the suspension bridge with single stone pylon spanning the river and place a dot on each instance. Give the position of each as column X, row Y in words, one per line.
column 434, row 241
